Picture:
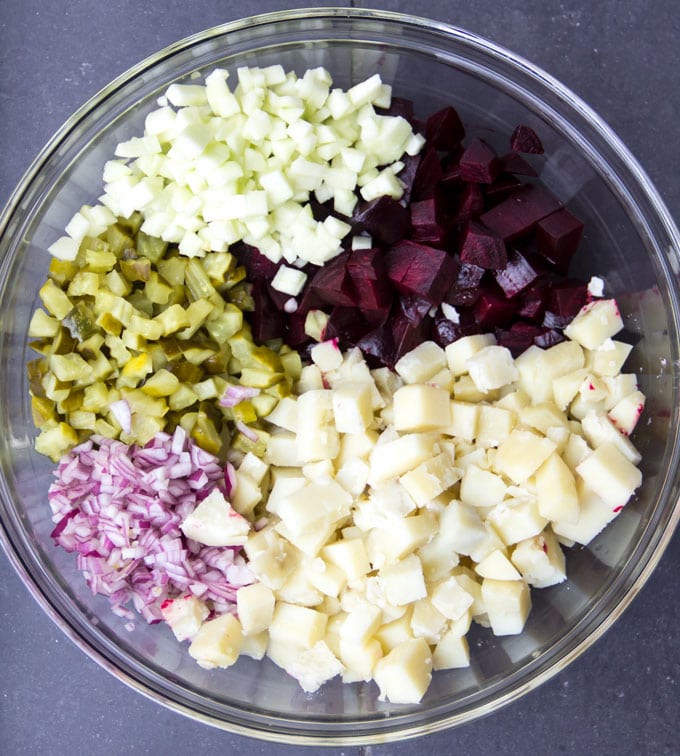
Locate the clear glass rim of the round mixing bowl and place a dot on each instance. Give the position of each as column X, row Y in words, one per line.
column 628, row 588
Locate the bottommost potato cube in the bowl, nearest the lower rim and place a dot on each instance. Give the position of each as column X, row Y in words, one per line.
column 404, row 674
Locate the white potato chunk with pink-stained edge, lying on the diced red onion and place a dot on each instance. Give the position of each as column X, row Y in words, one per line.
column 215, row 522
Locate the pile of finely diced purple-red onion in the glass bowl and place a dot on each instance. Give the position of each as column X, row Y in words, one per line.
column 119, row 509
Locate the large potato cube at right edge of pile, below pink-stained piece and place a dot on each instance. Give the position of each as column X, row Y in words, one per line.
column 610, row 475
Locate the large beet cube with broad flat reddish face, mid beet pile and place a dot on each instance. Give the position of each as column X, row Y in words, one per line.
column 417, row 269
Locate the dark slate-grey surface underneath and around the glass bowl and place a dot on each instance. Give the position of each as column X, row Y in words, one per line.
column 622, row 696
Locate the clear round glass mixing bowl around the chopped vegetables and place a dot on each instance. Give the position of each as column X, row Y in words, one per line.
column 630, row 240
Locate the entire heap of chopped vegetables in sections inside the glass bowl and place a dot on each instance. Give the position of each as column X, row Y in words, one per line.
column 319, row 385
